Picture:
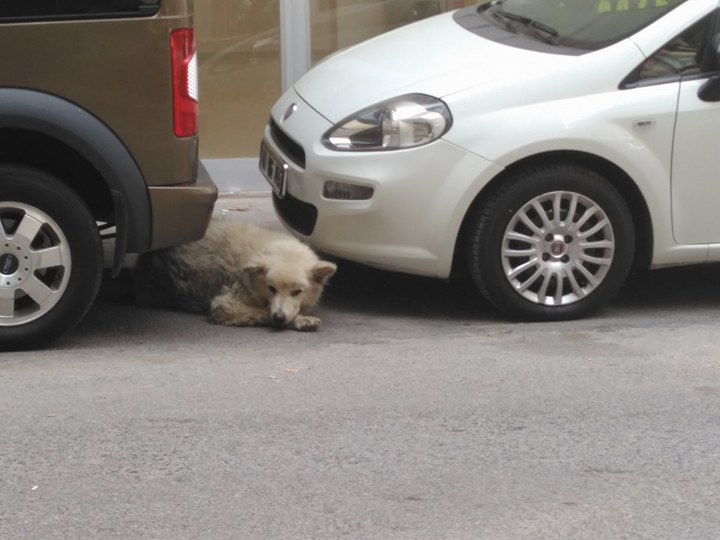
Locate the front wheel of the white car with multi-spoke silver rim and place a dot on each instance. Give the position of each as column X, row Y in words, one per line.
column 536, row 267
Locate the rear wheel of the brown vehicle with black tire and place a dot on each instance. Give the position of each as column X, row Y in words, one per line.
column 51, row 258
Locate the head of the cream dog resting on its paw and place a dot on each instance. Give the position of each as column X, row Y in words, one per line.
column 288, row 287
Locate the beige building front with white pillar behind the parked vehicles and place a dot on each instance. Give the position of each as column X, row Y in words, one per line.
column 251, row 50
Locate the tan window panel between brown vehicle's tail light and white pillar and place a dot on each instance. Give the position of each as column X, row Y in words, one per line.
column 239, row 53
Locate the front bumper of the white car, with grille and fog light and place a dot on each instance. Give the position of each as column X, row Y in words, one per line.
column 419, row 196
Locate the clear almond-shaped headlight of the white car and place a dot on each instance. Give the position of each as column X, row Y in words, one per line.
column 402, row 122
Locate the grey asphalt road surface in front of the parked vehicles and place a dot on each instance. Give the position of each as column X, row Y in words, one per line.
column 416, row 412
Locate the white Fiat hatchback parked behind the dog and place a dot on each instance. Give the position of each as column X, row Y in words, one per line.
column 547, row 148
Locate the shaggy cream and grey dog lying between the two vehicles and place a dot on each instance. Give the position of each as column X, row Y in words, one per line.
column 239, row 274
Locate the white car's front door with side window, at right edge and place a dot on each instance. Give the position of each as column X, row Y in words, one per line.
column 696, row 146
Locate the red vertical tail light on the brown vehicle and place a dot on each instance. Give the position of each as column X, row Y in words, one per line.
column 185, row 82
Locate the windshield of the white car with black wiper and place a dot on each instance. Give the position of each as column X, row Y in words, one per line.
column 583, row 24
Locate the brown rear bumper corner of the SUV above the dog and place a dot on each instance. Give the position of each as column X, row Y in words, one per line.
column 182, row 213
